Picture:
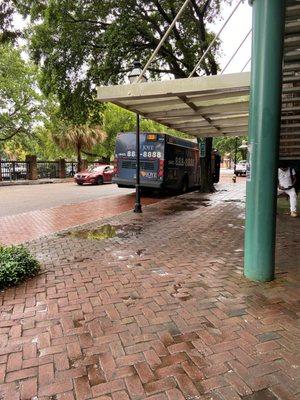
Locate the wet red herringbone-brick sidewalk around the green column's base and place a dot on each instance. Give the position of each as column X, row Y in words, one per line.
column 159, row 312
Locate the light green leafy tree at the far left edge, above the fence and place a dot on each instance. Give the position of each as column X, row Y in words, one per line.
column 21, row 104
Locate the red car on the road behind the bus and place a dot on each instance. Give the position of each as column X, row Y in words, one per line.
column 95, row 175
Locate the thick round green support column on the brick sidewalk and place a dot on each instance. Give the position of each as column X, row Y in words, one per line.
column 264, row 130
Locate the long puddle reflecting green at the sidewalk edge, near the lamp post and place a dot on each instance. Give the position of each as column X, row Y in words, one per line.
column 106, row 232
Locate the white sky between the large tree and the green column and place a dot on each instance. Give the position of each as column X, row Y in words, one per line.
column 233, row 34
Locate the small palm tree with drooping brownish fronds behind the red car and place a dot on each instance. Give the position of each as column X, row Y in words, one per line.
column 79, row 138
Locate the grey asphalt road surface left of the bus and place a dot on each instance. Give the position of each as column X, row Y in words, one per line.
column 19, row 199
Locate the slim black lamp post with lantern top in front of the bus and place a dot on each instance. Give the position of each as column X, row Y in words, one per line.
column 133, row 78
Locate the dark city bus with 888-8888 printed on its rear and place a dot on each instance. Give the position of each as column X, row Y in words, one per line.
column 166, row 162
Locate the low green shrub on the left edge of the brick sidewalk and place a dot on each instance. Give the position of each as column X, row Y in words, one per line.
column 16, row 264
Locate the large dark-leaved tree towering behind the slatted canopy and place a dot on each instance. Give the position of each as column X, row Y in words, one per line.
column 83, row 43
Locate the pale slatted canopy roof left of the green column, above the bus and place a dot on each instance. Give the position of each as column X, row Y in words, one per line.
column 202, row 106
